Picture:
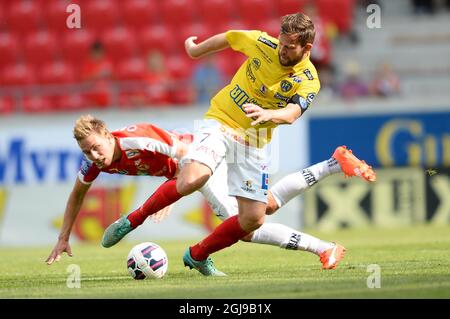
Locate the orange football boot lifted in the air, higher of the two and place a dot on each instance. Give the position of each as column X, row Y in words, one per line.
column 353, row 166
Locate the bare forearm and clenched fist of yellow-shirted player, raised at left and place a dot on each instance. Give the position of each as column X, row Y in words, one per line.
column 215, row 43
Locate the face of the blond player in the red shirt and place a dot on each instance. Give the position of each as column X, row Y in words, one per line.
column 99, row 149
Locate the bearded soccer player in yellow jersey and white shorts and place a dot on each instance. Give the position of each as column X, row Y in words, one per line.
column 275, row 85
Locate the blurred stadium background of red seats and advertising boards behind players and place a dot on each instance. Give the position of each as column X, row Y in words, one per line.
column 385, row 94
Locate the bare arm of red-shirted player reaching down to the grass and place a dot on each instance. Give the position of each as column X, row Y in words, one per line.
column 72, row 209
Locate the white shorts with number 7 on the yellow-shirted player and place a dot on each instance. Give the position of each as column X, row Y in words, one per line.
column 247, row 166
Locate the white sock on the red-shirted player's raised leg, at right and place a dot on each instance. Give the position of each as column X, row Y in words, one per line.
column 294, row 184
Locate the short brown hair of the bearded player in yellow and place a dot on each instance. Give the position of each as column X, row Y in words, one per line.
column 301, row 24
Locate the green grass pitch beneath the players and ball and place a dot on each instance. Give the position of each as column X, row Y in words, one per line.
column 414, row 263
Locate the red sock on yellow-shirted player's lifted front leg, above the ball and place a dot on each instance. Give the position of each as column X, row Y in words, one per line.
column 165, row 195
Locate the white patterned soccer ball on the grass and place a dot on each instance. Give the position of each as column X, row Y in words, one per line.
column 147, row 260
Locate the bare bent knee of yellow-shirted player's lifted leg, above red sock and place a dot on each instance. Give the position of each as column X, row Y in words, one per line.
column 192, row 177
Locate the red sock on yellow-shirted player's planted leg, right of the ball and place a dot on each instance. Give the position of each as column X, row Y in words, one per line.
column 226, row 234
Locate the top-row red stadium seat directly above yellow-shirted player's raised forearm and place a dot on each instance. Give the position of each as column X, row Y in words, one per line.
column 213, row 11
